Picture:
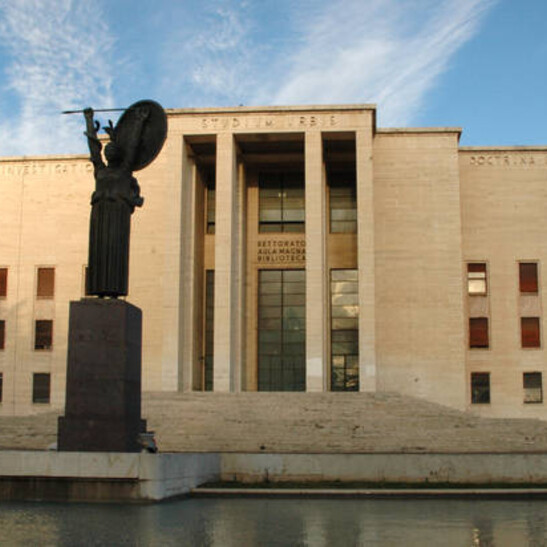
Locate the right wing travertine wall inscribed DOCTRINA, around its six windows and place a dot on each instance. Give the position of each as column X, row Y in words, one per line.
column 504, row 220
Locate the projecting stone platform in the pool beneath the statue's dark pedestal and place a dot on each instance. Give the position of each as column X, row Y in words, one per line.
column 102, row 476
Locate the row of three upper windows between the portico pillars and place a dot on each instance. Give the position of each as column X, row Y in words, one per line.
column 281, row 203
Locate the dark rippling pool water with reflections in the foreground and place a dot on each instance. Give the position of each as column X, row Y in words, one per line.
column 238, row 522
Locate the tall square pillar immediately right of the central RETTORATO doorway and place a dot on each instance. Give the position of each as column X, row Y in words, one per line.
column 316, row 265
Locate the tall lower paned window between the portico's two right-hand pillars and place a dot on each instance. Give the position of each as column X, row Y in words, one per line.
column 344, row 286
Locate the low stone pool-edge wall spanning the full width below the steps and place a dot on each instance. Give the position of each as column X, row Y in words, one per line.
column 105, row 477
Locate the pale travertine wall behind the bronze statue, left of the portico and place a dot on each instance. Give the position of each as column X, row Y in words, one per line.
column 45, row 222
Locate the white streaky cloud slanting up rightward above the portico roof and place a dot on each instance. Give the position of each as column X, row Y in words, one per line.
column 389, row 52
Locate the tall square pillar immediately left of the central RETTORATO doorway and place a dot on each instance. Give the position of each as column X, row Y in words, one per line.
column 227, row 320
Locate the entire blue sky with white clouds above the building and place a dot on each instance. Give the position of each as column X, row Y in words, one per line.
column 479, row 64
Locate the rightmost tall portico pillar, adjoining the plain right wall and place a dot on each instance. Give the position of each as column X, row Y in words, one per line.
column 365, row 260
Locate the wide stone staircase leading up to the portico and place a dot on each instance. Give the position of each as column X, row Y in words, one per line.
column 304, row 422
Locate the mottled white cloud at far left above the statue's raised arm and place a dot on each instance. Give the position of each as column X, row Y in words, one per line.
column 59, row 52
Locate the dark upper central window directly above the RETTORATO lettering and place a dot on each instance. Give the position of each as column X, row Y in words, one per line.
column 281, row 202
